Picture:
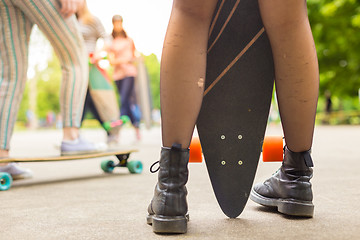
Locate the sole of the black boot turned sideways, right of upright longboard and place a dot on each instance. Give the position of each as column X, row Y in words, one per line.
column 290, row 207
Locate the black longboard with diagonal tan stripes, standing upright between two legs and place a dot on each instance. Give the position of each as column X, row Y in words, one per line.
column 238, row 90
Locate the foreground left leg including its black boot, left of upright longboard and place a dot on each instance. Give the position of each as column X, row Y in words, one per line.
column 182, row 75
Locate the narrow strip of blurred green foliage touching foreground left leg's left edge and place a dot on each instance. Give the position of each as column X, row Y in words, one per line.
column 153, row 67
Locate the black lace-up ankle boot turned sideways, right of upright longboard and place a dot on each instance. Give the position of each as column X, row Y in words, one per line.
column 289, row 189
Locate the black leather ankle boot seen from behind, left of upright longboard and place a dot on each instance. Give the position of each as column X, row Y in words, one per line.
column 168, row 208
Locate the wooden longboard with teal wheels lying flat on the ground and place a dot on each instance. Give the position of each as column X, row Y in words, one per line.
column 106, row 165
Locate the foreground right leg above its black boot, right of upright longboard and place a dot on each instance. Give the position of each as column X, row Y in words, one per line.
column 296, row 68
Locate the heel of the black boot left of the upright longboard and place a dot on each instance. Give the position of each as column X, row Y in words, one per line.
column 167, row 224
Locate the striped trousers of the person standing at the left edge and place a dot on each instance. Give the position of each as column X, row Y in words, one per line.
column 17, row 18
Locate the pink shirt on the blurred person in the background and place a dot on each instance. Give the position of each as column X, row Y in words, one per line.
column 124, row 51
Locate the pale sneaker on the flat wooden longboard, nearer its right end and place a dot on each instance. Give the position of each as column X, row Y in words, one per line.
column 81, row 146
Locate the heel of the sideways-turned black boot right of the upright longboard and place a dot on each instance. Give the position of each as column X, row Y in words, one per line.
column 299, row 209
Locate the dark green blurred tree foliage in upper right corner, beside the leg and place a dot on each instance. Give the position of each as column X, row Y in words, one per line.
column 336, row 30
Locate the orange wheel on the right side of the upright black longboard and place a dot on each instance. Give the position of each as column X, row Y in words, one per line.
column 273, row 149
